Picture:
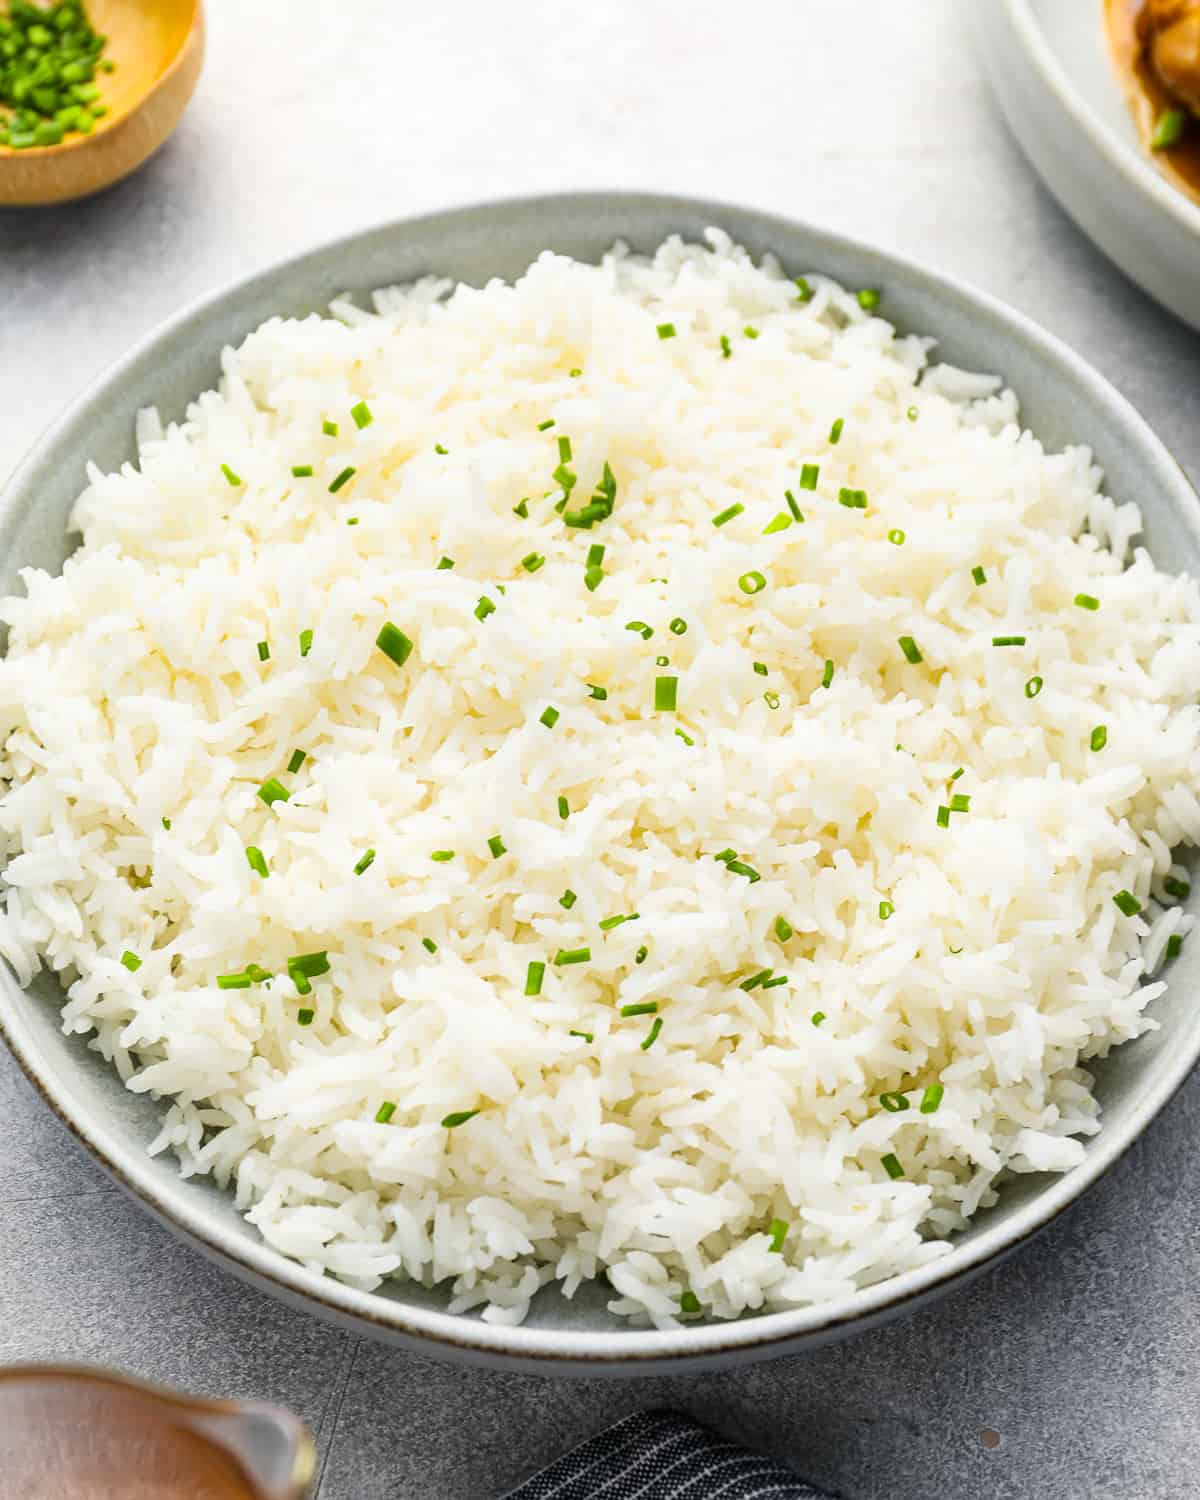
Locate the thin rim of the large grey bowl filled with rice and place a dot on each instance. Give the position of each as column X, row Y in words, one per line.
column 553, row 1351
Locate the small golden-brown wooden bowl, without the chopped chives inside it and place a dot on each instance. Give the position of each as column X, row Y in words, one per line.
column 158, row 47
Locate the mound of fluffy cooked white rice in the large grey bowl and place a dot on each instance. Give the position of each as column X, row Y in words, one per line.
column 140, row 724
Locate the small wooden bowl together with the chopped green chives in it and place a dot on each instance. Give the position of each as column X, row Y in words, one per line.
column 104, row 112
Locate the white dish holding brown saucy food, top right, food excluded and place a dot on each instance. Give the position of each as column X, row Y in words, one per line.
column 1049, row 65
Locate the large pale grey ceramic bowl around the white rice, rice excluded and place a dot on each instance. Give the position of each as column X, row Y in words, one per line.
column 1063, row 400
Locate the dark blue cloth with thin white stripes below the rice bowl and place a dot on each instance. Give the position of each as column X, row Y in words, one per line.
column 662, row 1456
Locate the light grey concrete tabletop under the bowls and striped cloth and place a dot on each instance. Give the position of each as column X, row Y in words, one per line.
column 1084, row 1354
